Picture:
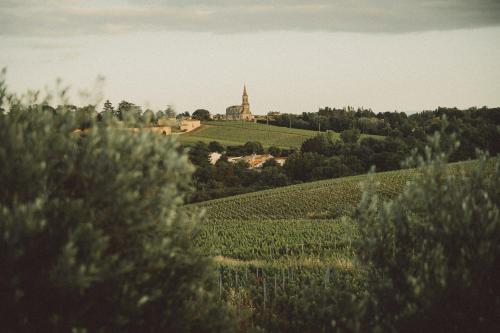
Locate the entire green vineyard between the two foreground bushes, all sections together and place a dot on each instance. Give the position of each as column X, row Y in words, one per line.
column 281, row 253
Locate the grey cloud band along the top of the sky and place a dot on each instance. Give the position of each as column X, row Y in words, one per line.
column 78, row 17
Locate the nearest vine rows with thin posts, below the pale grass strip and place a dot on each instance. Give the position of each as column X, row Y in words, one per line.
column 291, row 299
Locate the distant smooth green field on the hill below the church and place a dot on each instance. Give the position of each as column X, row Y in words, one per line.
column 237, row 133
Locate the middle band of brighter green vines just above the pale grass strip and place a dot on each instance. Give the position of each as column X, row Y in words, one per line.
column 271, row 239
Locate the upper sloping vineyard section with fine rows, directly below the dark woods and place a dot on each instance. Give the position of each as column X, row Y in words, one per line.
column 325, row 199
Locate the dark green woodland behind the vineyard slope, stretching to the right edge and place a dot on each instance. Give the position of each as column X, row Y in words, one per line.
column 325, row 156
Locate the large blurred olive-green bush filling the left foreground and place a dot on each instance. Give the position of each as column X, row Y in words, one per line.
column 92, row 237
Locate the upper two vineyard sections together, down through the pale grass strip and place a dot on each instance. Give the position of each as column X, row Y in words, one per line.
column 294, row 225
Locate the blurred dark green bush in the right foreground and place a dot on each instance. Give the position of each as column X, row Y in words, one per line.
column 433, row 254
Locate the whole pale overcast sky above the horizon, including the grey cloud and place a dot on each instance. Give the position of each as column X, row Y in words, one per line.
column 294, row 55
